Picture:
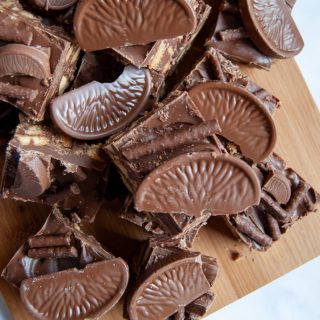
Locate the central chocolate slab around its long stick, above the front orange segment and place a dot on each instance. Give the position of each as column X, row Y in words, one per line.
column 175, row 114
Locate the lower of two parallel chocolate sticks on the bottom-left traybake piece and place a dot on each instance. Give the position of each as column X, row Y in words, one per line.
column 53, row 252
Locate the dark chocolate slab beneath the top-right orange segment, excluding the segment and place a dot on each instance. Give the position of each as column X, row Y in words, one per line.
column 231, row 38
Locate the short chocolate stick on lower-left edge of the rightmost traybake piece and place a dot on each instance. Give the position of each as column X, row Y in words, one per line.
column 246, row 226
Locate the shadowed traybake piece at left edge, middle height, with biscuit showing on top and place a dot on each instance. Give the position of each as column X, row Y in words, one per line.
column 44, row 166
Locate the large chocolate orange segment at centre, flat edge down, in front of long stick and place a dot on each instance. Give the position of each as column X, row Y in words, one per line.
column 199, row 183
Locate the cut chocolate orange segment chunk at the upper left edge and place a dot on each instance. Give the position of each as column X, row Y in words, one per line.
column 19, row 59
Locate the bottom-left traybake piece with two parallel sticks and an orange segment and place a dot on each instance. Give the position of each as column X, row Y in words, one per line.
column 63, row 273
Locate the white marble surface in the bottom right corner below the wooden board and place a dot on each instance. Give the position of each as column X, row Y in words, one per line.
column 294, row 296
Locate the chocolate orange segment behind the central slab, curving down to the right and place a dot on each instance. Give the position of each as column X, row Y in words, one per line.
column 242, row 117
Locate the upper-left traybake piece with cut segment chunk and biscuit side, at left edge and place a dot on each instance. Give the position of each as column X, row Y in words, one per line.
column 33, row 83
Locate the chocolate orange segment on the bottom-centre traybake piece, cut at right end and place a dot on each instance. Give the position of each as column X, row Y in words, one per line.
column 169, row 288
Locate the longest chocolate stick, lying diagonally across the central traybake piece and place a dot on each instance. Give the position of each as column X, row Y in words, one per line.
column 186, row 135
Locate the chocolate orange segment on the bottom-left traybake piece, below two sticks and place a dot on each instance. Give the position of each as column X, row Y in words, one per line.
column 76, row 294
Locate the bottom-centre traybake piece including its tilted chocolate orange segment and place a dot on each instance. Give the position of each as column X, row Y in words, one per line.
column 171, row 284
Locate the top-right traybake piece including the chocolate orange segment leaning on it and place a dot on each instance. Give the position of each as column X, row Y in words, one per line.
column 255, row 41
